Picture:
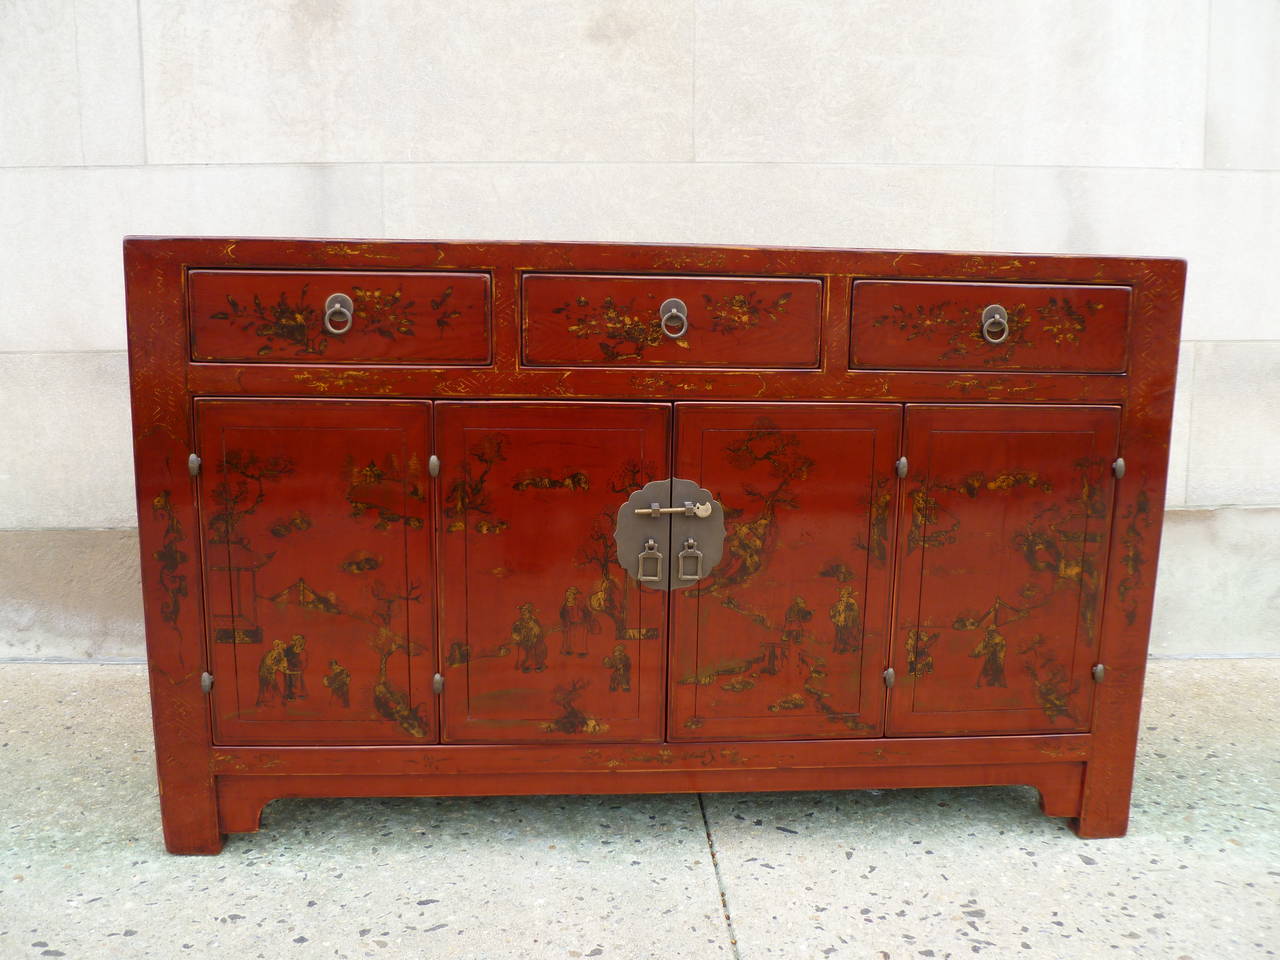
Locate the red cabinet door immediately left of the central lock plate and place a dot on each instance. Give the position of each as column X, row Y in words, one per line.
column 545, row 637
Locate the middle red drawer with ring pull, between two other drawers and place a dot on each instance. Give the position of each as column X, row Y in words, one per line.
column 720, row 322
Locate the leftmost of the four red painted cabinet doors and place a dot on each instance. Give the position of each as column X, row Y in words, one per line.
column 318, row 570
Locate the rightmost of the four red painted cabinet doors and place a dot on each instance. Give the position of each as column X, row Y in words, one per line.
column 1003, row 547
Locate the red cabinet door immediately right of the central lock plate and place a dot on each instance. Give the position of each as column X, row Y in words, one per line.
column 787, row 636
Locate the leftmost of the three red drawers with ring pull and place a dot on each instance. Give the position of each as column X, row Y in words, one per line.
column 395, row 318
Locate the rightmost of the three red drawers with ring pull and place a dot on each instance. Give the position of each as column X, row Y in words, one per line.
column 1028, row 327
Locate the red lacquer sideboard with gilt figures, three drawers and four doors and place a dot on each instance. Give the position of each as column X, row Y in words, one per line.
column 427, row 519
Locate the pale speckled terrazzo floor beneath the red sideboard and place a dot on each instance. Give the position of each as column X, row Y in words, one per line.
column 888, row 876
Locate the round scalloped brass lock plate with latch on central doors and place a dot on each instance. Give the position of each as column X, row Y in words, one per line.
column 670, row 534
